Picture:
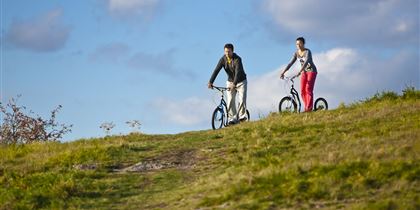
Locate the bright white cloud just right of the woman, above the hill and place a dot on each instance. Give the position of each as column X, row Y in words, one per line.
column 356, row 75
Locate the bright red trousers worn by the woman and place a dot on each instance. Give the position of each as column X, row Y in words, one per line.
column 307, row 83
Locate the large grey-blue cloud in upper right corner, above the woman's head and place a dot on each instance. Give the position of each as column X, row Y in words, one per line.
column 377, row 22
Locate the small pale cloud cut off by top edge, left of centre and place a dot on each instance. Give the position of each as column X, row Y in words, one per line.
column 130, row 8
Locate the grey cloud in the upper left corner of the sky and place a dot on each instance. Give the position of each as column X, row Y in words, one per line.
column 44, row 33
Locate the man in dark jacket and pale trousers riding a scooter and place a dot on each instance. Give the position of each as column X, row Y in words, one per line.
column 236, row 83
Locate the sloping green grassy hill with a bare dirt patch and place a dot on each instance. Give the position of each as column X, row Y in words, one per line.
column 359, row 156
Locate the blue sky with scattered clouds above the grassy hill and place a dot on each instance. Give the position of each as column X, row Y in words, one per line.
column 150, row 60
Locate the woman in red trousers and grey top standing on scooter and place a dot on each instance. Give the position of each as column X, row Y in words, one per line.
column 308, row 71
